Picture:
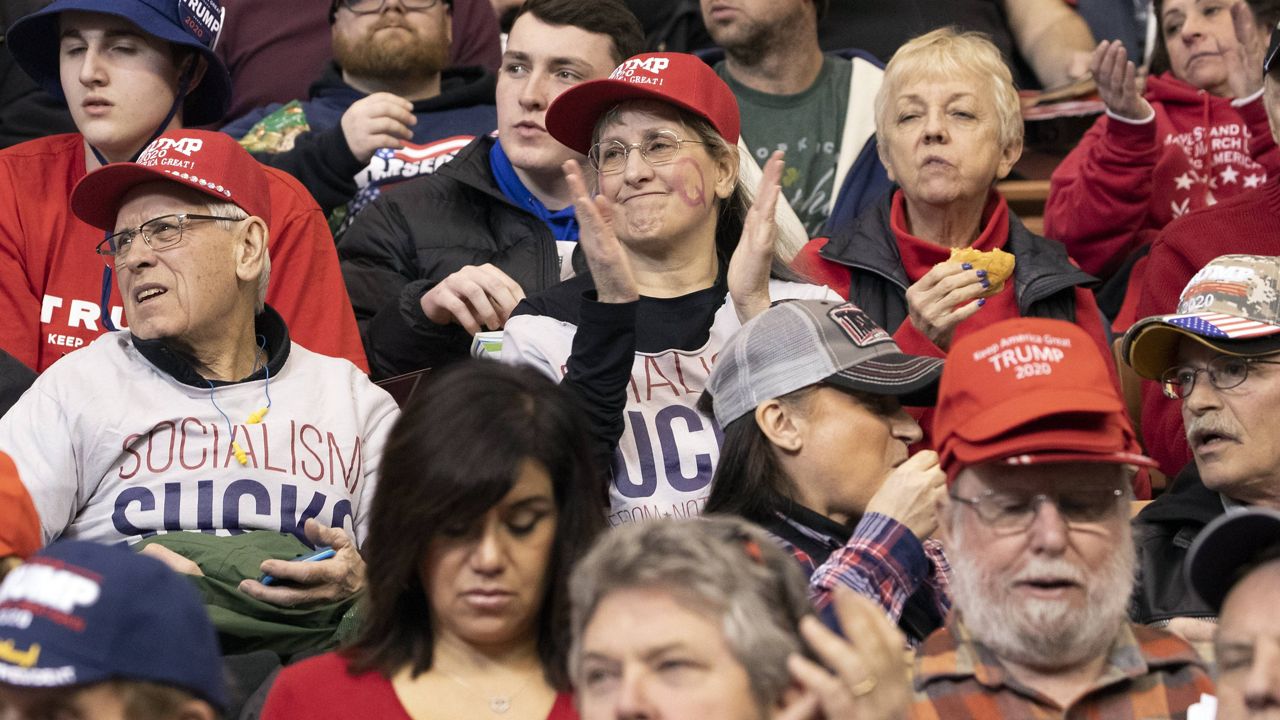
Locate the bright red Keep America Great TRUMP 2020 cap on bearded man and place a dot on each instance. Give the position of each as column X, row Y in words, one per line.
column 1027, row 391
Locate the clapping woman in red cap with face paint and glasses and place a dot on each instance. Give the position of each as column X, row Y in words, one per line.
column 638, row 336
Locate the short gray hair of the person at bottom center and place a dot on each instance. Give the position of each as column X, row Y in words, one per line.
column 725, row 568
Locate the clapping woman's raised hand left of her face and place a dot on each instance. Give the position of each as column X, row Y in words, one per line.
column 609, row 261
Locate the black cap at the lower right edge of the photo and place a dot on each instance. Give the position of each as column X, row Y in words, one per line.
column 1224, row 548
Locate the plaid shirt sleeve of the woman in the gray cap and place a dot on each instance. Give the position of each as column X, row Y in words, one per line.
column 885, row 562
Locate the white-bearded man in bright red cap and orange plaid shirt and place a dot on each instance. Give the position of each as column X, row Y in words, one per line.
column 1039, row 454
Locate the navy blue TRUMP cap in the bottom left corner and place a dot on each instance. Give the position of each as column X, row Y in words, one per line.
column 84, row 613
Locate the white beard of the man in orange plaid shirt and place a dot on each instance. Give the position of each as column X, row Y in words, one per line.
column 1044, row 635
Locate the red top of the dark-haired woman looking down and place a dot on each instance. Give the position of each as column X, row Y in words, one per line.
column 323, row 689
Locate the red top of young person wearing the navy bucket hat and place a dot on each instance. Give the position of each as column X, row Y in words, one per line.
column 52, row 280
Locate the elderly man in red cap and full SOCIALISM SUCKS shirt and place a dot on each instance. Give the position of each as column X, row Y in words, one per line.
column 203, row 421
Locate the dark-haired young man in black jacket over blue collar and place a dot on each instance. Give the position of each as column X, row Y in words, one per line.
column 441, row 258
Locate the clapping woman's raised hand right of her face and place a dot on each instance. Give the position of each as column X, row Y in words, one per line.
column 749, row 267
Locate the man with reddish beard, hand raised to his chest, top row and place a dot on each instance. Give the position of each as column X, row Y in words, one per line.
column 381, row 112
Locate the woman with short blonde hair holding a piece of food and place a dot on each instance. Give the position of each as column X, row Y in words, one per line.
column 949, row 127
